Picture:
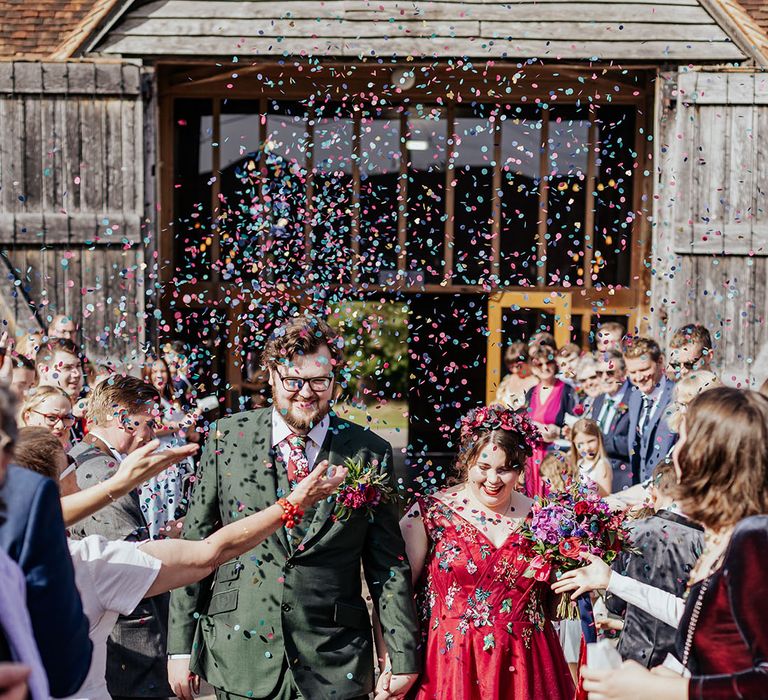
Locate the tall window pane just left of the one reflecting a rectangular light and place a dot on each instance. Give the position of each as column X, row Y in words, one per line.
column 379, row 174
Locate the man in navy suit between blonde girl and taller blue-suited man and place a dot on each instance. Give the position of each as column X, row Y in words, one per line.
column 611, row 412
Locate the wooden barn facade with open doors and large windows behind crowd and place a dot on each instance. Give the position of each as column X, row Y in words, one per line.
column 168, row 166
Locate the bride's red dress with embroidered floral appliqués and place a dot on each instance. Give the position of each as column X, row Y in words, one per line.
column 487, row 635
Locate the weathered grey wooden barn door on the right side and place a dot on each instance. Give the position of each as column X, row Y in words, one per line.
column 711, row 215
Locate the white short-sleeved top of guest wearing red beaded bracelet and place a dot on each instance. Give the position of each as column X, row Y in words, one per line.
column 112, row 577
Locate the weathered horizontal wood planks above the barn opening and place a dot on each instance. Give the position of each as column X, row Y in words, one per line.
column 633, row 29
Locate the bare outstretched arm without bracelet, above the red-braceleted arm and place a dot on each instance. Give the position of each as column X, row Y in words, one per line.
column 135, row 469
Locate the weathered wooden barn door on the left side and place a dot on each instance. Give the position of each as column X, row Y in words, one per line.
column 73, row 196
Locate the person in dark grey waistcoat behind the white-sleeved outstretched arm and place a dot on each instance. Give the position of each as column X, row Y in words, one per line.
column 666, row 546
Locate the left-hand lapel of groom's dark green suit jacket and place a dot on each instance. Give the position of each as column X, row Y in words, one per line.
column 266, row 482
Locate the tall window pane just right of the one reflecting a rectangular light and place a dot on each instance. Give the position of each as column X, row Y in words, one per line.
column 472, row 154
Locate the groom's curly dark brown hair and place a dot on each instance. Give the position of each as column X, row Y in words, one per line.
column 302, row 335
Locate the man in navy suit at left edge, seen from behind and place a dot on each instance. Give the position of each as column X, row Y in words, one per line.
column 32, row 533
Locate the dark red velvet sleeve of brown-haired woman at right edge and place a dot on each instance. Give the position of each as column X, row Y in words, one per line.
column 746, row 584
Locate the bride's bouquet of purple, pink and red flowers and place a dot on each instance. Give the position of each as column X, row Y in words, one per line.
column 567, row 525
